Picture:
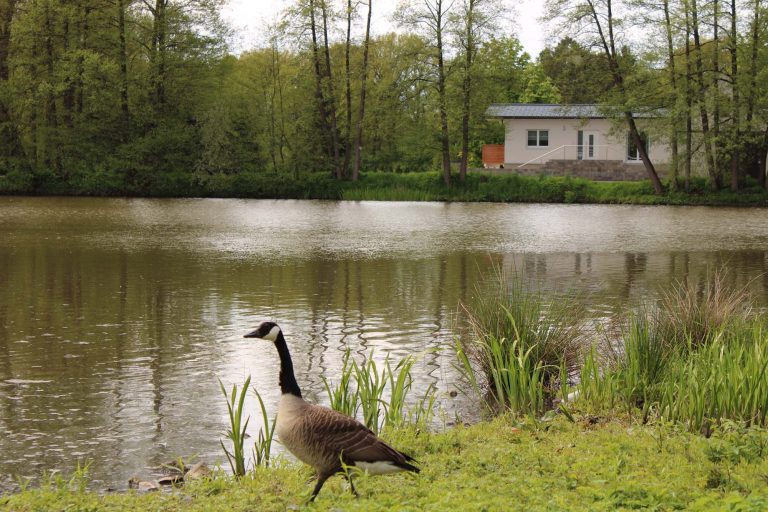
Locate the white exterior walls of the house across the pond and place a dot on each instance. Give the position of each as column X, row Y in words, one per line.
column 563, row 139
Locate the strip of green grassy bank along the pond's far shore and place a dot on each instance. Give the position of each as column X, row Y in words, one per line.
column 479, row 187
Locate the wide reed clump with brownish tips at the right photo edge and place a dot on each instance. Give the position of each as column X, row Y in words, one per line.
column 698, row 357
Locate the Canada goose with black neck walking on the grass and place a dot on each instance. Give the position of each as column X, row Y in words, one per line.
column 322, row 437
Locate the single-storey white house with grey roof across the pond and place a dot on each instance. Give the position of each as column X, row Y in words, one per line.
column 570, row 137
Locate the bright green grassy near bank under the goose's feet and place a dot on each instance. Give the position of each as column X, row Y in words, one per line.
column 592, row 464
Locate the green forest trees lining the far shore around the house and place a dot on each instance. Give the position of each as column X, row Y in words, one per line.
column 147, row 96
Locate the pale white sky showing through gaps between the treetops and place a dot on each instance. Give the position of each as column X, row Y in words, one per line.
column 248, row 17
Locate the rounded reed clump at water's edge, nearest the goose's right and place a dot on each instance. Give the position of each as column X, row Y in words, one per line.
column 519, row 343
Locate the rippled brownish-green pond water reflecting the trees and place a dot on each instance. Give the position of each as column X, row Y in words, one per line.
column 117, row 316
